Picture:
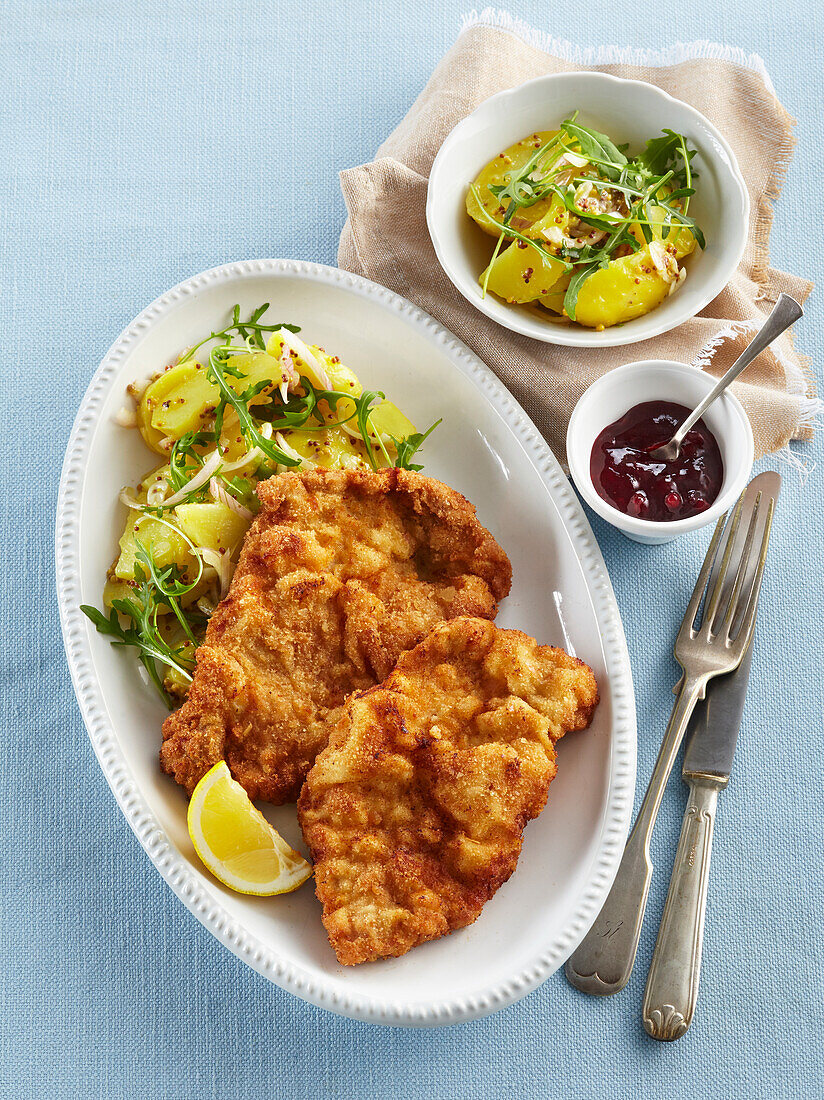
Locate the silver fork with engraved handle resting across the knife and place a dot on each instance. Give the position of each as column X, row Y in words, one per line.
column 603, row 963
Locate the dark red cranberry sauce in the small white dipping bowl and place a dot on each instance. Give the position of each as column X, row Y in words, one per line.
column 627, row 477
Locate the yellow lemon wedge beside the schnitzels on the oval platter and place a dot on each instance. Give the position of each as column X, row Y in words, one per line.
column 237, row 843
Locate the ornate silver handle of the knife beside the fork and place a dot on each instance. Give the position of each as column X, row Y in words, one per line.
column 673, row 985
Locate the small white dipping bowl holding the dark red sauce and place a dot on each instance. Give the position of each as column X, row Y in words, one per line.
column 660, row 380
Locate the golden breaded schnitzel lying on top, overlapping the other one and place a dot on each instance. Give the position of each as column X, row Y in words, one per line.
column 415, row 811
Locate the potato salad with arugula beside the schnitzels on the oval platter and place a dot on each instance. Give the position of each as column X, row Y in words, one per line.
column 248, row 402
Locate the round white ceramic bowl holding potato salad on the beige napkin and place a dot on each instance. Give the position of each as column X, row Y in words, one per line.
column 629, row 112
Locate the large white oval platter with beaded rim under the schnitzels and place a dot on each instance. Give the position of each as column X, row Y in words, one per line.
column 491, row 452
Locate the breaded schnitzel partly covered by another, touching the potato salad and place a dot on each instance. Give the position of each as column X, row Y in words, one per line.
column 340, row 574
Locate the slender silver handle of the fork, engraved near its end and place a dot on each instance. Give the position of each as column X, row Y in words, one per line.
column 605, row 961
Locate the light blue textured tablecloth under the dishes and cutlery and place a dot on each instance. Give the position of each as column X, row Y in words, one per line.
column 147, row 141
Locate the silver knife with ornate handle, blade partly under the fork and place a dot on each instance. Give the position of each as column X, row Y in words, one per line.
column 673, row 985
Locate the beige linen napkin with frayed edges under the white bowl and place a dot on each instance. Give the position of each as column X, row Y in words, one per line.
column 387, row 238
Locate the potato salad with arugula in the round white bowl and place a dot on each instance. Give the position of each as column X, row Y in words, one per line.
column 581, row 230
